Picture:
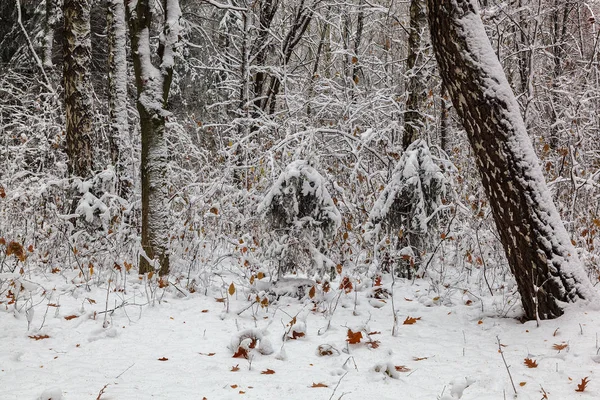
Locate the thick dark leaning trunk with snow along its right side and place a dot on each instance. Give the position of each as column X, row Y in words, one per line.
column 539, row 252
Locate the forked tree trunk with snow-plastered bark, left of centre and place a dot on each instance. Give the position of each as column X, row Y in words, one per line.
column 153, row 84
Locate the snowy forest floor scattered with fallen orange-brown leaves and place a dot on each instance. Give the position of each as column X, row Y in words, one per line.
column 164, row 345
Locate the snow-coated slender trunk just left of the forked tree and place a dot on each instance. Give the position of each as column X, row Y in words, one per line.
column 117, row 93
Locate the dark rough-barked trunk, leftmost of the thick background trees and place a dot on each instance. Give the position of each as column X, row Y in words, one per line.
column 78, row 87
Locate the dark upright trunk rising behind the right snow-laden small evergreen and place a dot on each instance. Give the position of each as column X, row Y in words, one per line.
column 414, row 116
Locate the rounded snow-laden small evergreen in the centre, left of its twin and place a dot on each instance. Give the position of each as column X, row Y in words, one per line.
column 302, row 219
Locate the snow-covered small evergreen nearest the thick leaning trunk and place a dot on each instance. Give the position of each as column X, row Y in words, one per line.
column 408, row 209
